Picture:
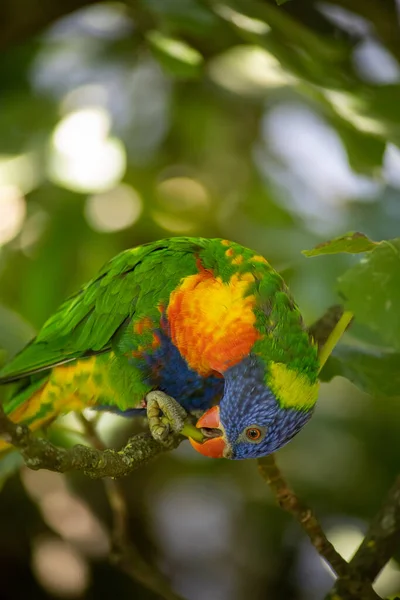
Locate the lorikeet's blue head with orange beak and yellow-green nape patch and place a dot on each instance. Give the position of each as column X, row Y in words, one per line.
column 262, row 409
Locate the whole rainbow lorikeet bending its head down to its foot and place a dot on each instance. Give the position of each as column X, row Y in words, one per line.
column 204, row 321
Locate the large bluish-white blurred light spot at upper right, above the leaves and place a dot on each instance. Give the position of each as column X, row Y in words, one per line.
column 312, row 166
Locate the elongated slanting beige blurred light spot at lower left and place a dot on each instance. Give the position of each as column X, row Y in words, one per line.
column 67, row 514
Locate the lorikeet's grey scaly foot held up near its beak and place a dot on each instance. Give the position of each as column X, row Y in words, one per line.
column 161, row 405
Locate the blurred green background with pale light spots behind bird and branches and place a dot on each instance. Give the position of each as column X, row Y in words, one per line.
column 277, row 127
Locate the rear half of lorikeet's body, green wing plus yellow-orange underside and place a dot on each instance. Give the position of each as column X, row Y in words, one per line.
column 78, row 359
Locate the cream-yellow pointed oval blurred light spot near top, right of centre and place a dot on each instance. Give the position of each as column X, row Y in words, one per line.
column 248, row 70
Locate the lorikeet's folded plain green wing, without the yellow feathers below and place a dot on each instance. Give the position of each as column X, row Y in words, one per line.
column 88, row 321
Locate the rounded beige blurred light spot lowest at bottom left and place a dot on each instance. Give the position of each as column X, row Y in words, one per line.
column 59, row 568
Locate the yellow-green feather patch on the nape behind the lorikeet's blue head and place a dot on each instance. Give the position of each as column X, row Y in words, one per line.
column 291, row 388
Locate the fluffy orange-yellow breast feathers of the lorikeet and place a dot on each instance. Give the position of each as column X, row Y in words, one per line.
column 212, row 322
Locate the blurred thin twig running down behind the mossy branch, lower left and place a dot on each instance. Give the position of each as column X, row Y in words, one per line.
column 124, row 554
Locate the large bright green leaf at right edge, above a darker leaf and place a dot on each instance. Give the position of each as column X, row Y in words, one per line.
column 371, row 290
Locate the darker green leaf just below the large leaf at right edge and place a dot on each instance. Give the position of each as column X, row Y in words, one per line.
column 375, row 372
